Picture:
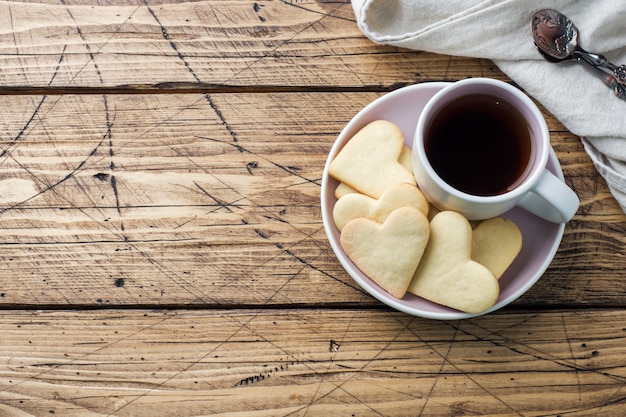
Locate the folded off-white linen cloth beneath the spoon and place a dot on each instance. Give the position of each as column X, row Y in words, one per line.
column 499, row 30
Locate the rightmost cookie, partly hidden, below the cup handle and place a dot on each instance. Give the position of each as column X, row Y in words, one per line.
column 496, row 243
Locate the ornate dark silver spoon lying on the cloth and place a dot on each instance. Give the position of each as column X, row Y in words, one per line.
column 556, row 38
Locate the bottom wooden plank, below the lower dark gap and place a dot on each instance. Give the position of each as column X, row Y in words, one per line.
column 315, row 362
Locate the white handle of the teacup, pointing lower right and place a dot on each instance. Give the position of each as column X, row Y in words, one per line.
column 551, row 199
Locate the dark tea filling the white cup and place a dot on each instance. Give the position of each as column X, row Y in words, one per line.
column 480, row 145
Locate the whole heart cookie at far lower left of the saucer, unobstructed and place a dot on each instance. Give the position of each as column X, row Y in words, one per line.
column 388, row 253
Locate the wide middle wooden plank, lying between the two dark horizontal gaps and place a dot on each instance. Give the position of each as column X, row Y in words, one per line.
column 214, row 200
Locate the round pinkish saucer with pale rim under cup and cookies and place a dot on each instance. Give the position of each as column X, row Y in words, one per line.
column 541, row 238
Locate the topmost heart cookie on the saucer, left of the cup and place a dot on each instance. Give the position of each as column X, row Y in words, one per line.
column 369, row 160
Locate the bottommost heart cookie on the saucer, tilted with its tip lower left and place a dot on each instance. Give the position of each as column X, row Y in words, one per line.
column 447, row 275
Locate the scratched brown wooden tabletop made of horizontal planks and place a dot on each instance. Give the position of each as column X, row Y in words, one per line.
column 162, row 248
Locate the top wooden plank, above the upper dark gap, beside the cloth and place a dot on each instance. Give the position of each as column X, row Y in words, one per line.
column 205, row 44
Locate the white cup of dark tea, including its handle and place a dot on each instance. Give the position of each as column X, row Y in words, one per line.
column 481, row 147
